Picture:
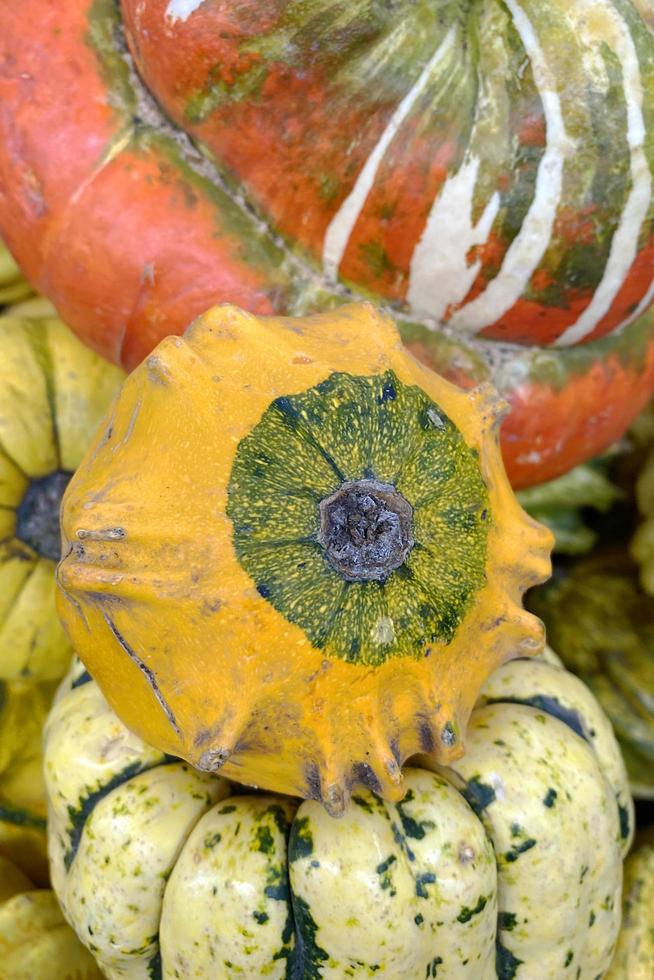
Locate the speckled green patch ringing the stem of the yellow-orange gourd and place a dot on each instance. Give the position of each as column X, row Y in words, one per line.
column 348, row 429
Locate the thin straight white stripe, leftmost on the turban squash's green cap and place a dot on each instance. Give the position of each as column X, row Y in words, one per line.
column 342, row 224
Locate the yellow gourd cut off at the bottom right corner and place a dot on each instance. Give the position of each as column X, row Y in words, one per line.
column 634, row 956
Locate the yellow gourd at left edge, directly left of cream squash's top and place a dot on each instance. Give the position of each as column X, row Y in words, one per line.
column 23, row 709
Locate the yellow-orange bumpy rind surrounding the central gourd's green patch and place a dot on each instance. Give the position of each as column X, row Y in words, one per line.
column 243, row 689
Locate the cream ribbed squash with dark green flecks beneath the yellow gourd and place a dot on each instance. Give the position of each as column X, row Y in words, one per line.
column 455, row 881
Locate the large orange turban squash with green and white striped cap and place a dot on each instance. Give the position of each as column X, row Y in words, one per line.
column 485, row 170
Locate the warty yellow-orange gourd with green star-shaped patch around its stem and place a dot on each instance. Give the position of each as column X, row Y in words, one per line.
column 208, row 585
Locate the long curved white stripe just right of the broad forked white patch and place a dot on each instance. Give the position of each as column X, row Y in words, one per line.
column 528, row 247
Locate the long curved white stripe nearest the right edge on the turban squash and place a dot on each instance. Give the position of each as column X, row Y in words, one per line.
column 624, row 246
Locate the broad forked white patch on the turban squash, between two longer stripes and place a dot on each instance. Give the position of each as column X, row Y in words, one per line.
column 440, row 274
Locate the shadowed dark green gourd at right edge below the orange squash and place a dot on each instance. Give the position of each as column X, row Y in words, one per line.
column 602, row 626
